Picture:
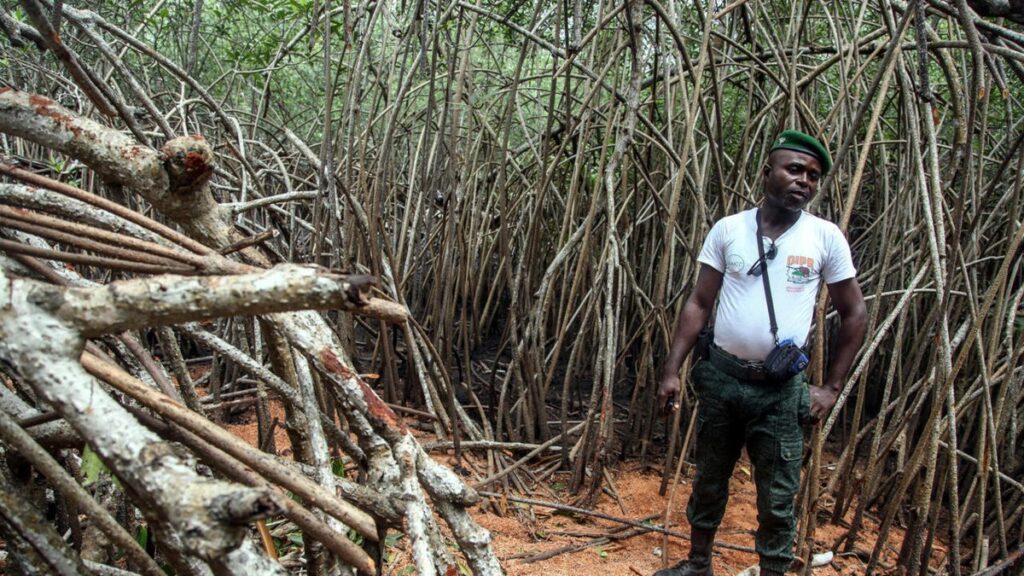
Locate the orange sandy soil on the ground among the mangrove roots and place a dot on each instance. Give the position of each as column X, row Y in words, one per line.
column 518, row 534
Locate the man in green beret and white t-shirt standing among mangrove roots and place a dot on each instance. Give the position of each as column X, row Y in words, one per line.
column 742, row 404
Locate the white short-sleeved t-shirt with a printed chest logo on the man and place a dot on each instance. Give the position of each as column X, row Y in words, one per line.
column 813, row 251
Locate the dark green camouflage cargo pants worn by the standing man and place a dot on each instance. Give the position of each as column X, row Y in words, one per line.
column 765, row 419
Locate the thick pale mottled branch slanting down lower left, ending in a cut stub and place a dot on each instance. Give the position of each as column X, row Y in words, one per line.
column 41, row 351
